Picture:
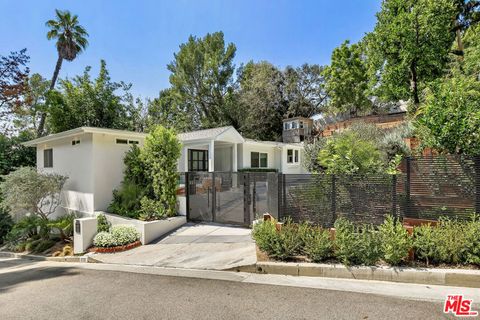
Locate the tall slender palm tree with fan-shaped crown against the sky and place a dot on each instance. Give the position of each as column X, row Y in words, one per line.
column 71, row 40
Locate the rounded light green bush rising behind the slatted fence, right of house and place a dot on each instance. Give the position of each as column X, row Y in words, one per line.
column 347, row 153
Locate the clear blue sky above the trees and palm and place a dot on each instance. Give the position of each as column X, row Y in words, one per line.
column 138, row 38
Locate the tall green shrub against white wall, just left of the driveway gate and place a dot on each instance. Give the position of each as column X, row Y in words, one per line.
column 160, row 155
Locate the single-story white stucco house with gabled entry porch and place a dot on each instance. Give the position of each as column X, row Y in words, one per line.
column 92, row 158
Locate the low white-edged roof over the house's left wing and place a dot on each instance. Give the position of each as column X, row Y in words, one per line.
column 82, row 130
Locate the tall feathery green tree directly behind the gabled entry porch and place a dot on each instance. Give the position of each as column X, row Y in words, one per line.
column 202, row 79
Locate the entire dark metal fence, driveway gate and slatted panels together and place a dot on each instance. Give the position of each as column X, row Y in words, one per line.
column 426, row 188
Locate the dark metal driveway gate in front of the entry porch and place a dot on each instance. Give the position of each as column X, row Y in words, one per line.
column 230, row 197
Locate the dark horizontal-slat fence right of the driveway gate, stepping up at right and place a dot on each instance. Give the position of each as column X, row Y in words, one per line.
column 426, row 188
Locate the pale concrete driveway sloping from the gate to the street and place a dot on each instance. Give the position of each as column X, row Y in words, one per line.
column 193, row 246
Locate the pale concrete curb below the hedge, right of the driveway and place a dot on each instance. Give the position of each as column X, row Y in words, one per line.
column 444, row 277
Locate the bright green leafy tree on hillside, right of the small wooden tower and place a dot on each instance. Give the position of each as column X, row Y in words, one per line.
column 347, row 81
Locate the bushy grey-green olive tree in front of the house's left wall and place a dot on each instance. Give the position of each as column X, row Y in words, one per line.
column 36, row 193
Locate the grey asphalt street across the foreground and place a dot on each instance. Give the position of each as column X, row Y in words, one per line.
column 49, row 292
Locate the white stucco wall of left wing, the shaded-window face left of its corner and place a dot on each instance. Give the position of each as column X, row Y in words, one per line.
column 76, row 163
